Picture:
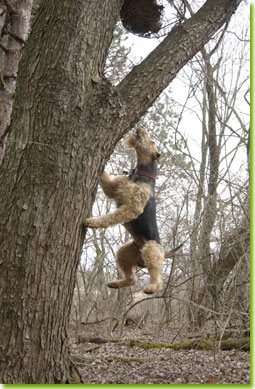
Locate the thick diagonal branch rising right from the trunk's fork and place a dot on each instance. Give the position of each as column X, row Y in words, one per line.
column 146, row 81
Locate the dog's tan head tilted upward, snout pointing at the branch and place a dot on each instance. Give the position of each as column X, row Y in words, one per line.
column 145, row 147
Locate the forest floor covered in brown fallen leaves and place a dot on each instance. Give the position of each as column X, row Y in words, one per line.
column 99, row 364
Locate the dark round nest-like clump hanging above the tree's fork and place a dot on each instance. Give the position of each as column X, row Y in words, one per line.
column 141, row 17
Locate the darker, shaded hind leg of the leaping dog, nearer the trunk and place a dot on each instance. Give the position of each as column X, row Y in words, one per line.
column 127, row 258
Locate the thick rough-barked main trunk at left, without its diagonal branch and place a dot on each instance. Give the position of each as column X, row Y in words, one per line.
column 55, row 168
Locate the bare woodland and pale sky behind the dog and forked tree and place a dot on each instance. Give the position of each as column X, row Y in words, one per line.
column 178, row 121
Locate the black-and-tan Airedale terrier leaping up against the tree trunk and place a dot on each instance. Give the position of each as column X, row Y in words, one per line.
column 136, row 209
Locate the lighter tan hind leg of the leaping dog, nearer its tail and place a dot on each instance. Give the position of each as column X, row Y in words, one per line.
column 153, row 256
